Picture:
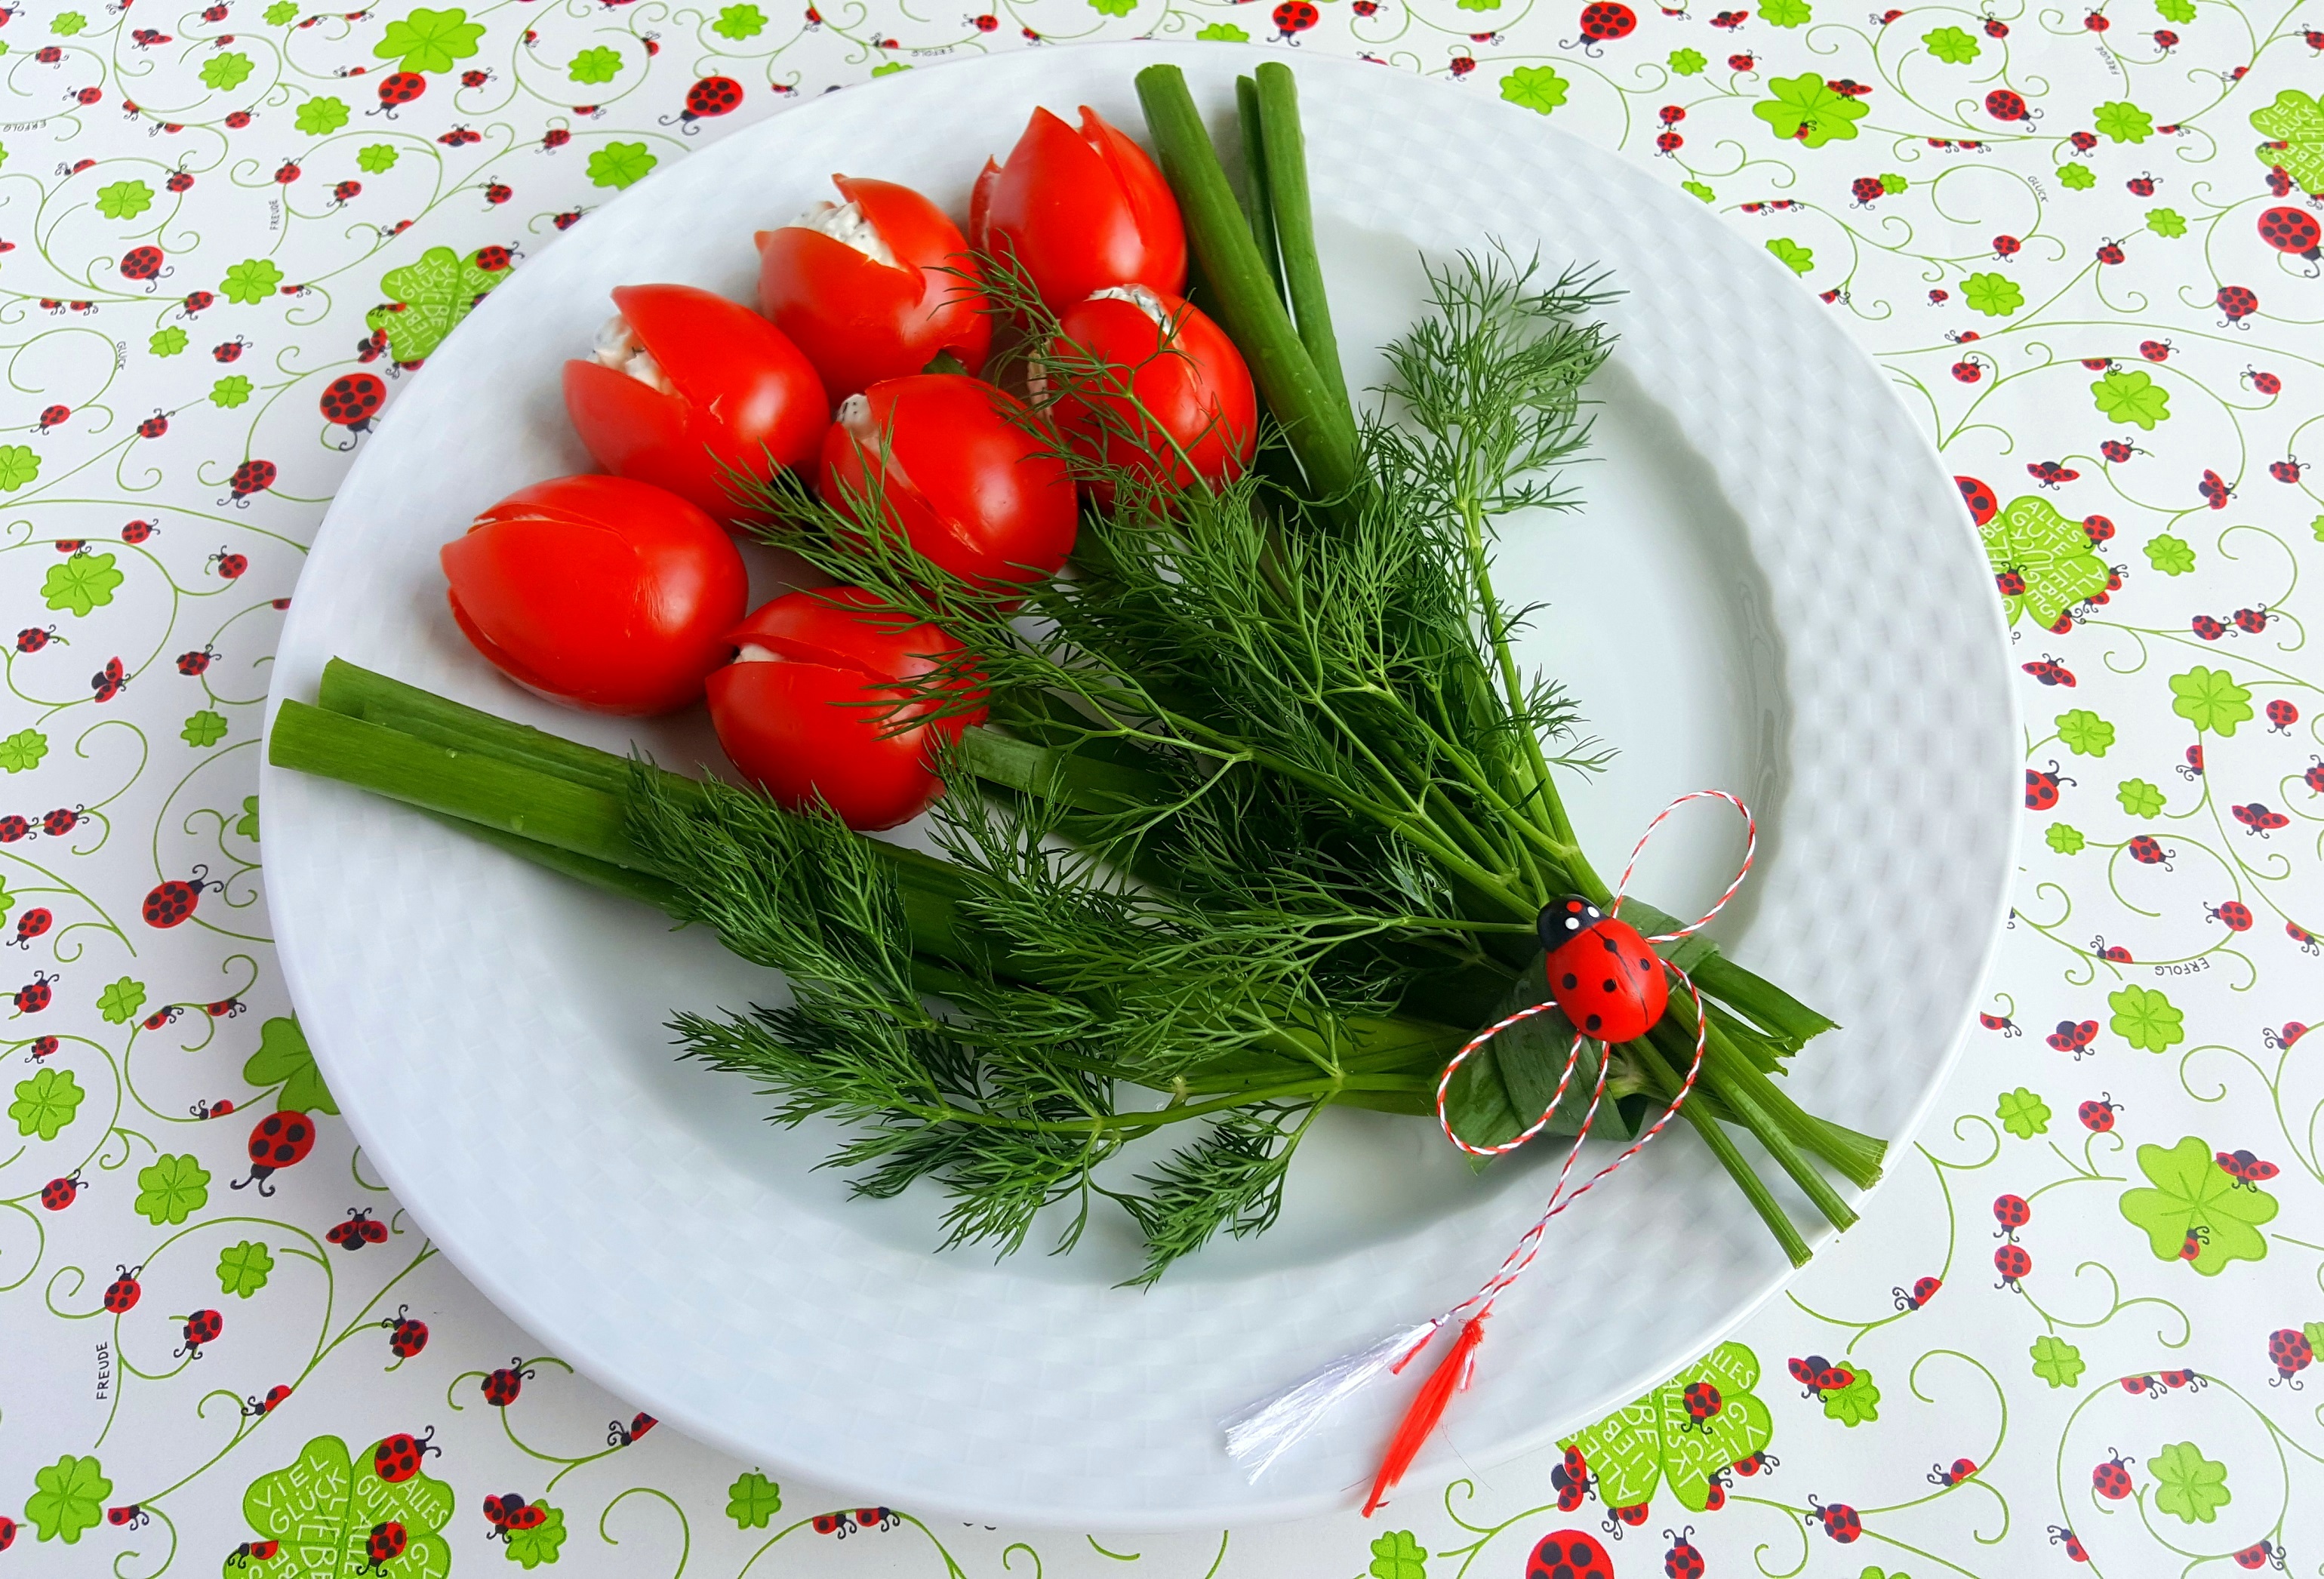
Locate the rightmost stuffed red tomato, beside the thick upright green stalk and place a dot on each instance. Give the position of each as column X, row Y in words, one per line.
column 1177, row 399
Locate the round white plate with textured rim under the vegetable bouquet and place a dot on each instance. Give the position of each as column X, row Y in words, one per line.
column 1774, row 590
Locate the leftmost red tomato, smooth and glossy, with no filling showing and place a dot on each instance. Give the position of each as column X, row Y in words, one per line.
column 598, row 592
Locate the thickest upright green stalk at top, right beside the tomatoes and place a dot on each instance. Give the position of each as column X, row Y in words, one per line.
column 1319, row 429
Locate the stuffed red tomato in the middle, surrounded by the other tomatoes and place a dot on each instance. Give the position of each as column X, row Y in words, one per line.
column 959, row 473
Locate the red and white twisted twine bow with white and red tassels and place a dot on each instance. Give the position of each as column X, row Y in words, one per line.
column 1268, row 1429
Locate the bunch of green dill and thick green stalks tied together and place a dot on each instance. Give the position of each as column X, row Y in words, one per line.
column 1258, row 824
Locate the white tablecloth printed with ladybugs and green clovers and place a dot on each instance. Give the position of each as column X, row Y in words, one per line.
column 2079, row 243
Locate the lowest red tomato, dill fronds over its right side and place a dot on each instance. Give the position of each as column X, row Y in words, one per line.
column 794, row 715
